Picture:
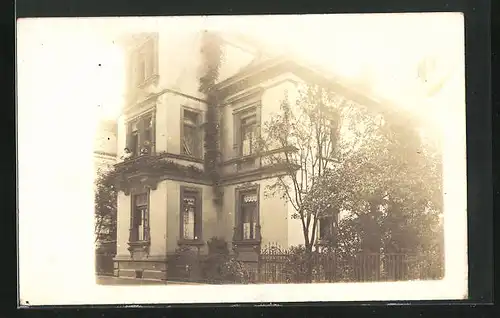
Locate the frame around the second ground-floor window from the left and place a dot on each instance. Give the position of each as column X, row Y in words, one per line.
column 198, row 217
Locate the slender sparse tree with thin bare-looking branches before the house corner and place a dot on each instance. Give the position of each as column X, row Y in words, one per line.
column 308, row 134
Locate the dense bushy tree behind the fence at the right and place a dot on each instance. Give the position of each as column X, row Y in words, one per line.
column 391, row 190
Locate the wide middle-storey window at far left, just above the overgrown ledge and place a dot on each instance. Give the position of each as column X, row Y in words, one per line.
column 140, row 138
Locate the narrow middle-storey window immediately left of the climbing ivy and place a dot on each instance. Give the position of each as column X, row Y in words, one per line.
column 190, row 134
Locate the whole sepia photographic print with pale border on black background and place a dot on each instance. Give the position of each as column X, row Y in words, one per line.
column 259, row 151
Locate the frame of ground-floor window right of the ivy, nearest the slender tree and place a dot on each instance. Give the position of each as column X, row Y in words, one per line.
column 239, row 222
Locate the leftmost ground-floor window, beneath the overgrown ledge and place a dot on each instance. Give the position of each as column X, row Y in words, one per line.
column 140, row 218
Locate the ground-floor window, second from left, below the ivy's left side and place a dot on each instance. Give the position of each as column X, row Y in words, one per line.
column 190, row 215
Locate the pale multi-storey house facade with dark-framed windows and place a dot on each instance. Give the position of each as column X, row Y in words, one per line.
column 162, row 209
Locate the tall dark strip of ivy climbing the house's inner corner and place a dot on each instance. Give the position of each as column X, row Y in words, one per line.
column 212, row 55
